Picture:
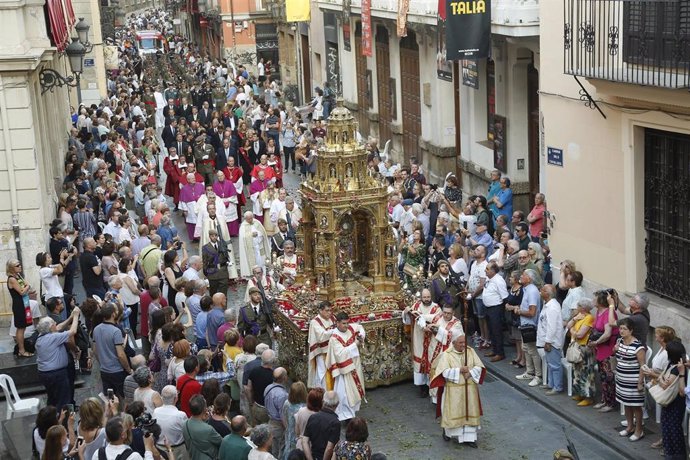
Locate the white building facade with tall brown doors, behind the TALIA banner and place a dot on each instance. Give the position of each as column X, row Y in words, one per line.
column 405, row 95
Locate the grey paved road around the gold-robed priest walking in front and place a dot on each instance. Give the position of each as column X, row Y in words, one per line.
column 514, row 427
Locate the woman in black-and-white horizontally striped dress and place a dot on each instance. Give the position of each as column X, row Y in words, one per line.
column 630, row 355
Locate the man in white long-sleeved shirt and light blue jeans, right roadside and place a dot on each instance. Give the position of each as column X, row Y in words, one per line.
column 550, row 336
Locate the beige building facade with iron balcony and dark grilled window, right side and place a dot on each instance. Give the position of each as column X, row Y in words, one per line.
column 614, row 99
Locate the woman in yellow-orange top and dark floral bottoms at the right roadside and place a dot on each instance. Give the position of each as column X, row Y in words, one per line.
column 580, row 326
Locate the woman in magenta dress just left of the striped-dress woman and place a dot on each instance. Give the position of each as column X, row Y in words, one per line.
column 603, row 340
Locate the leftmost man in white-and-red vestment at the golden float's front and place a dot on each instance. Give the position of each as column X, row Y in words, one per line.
column 320, row 330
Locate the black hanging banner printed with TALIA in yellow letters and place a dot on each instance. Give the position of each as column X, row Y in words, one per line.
column 468, row 29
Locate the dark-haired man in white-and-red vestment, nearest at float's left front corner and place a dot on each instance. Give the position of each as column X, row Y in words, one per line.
column 345, row 366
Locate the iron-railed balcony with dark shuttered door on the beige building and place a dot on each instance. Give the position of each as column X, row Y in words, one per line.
column 642, row 42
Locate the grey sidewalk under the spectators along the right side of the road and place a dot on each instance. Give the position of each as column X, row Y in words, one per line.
column 603, row 427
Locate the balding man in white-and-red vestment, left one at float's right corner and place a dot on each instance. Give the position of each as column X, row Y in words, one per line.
column 419, row 315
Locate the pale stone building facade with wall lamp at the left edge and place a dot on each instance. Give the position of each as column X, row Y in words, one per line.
column 34, row 127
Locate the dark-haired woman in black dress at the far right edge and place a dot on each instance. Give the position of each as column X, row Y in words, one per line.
column 672, row 415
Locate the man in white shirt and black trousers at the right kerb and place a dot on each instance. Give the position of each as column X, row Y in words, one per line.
column 493, row 296
